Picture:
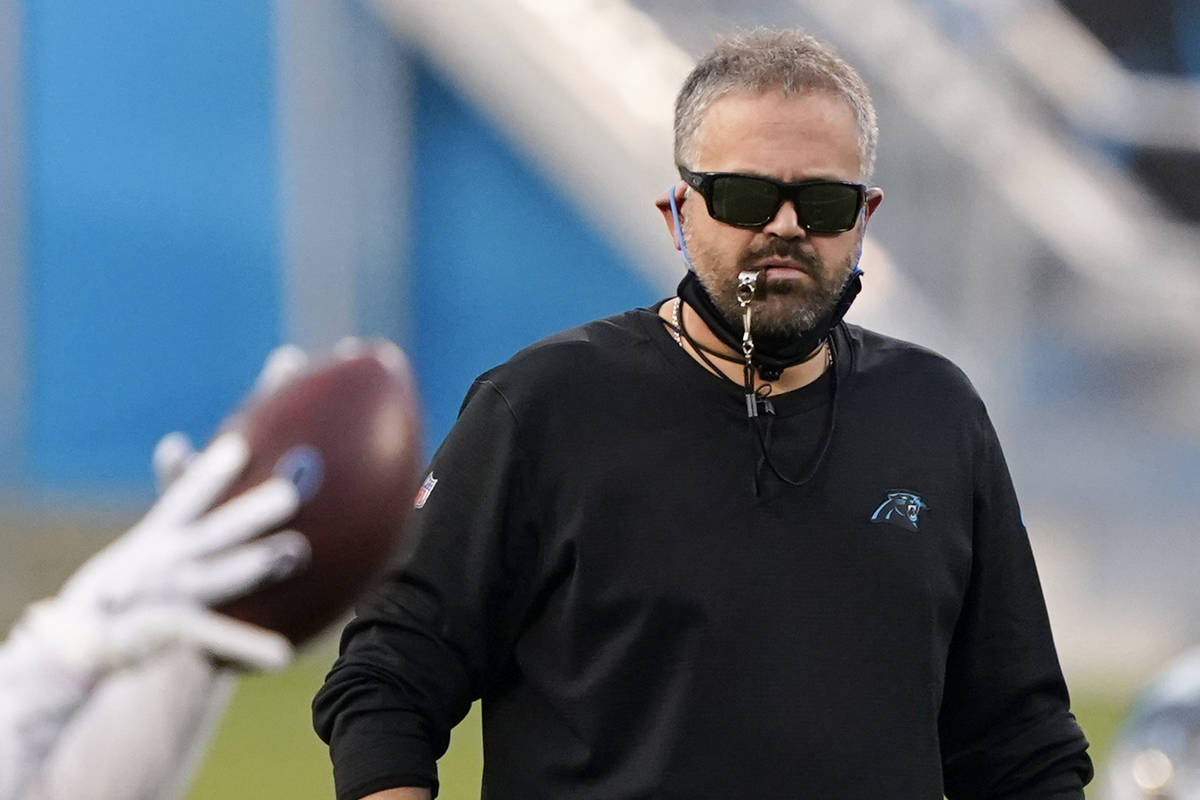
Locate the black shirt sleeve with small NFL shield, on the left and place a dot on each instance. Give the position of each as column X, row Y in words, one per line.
column 439, row 630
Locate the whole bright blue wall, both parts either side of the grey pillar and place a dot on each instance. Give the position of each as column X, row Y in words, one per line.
column 154, row 262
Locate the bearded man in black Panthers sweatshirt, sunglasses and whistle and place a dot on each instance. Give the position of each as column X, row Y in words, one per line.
column 677, row 561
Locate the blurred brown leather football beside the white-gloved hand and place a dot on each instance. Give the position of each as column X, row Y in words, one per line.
column 346, row 431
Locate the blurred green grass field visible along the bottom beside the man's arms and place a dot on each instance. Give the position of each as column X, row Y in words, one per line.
column 267, row 750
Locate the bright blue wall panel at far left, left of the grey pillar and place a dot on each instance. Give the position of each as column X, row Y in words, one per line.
column 153, row 234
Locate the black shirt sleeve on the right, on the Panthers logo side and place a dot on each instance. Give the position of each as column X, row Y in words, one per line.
column 1006, row 721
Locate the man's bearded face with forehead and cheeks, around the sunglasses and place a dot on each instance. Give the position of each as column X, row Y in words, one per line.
column 789, row 139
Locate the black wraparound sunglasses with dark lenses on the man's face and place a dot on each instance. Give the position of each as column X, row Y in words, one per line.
column 754, row 201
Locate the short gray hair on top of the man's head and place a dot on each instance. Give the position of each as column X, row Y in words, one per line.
column 765, row 59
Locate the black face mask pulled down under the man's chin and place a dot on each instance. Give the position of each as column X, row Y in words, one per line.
column 772, row 354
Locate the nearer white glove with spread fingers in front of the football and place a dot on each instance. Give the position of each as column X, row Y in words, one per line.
column 152, row 588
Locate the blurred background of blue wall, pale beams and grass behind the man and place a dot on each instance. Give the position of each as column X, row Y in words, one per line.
column 187, row 185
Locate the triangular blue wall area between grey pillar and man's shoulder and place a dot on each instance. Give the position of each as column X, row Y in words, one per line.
column 500, row 258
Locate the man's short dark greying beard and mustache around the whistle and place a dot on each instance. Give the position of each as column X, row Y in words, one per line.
column 783, row 310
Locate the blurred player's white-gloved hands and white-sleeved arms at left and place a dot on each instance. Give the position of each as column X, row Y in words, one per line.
column 111, row 689
